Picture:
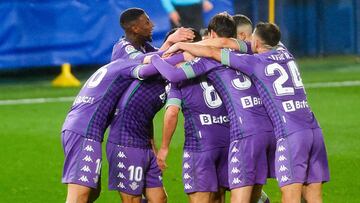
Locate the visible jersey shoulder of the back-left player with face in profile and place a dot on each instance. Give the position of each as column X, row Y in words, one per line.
column 125, row 50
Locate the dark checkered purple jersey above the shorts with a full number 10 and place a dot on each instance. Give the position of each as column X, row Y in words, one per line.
column 132, row 125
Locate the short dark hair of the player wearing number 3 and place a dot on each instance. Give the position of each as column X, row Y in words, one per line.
column 223, row 25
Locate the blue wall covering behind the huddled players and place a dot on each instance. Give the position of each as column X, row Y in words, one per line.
column 42, row 33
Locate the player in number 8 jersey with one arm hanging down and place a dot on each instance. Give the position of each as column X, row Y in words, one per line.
column 206, row 138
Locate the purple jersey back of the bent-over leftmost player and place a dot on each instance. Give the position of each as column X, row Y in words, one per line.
column 90, row 113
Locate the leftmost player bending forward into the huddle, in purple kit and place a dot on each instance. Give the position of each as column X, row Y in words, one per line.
column 86, row 122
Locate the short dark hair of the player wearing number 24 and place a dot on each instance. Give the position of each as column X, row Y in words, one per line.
column 269, row 33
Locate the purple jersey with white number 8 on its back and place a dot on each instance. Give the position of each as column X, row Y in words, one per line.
column 206, row 121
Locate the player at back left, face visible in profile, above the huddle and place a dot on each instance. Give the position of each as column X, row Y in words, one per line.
column 138, row 33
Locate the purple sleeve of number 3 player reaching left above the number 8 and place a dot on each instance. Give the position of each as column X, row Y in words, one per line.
column 188, row 70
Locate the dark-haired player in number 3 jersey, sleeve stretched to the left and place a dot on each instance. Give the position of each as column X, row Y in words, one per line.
column 251, row 131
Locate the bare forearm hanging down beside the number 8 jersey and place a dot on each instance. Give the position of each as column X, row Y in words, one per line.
column 170, row 122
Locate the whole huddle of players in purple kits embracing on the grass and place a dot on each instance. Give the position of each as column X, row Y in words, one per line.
column 245, row 109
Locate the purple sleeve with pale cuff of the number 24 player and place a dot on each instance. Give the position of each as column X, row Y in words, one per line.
column 242, row 62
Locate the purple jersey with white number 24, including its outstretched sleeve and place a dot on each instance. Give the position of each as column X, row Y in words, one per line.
column 277, row 78
